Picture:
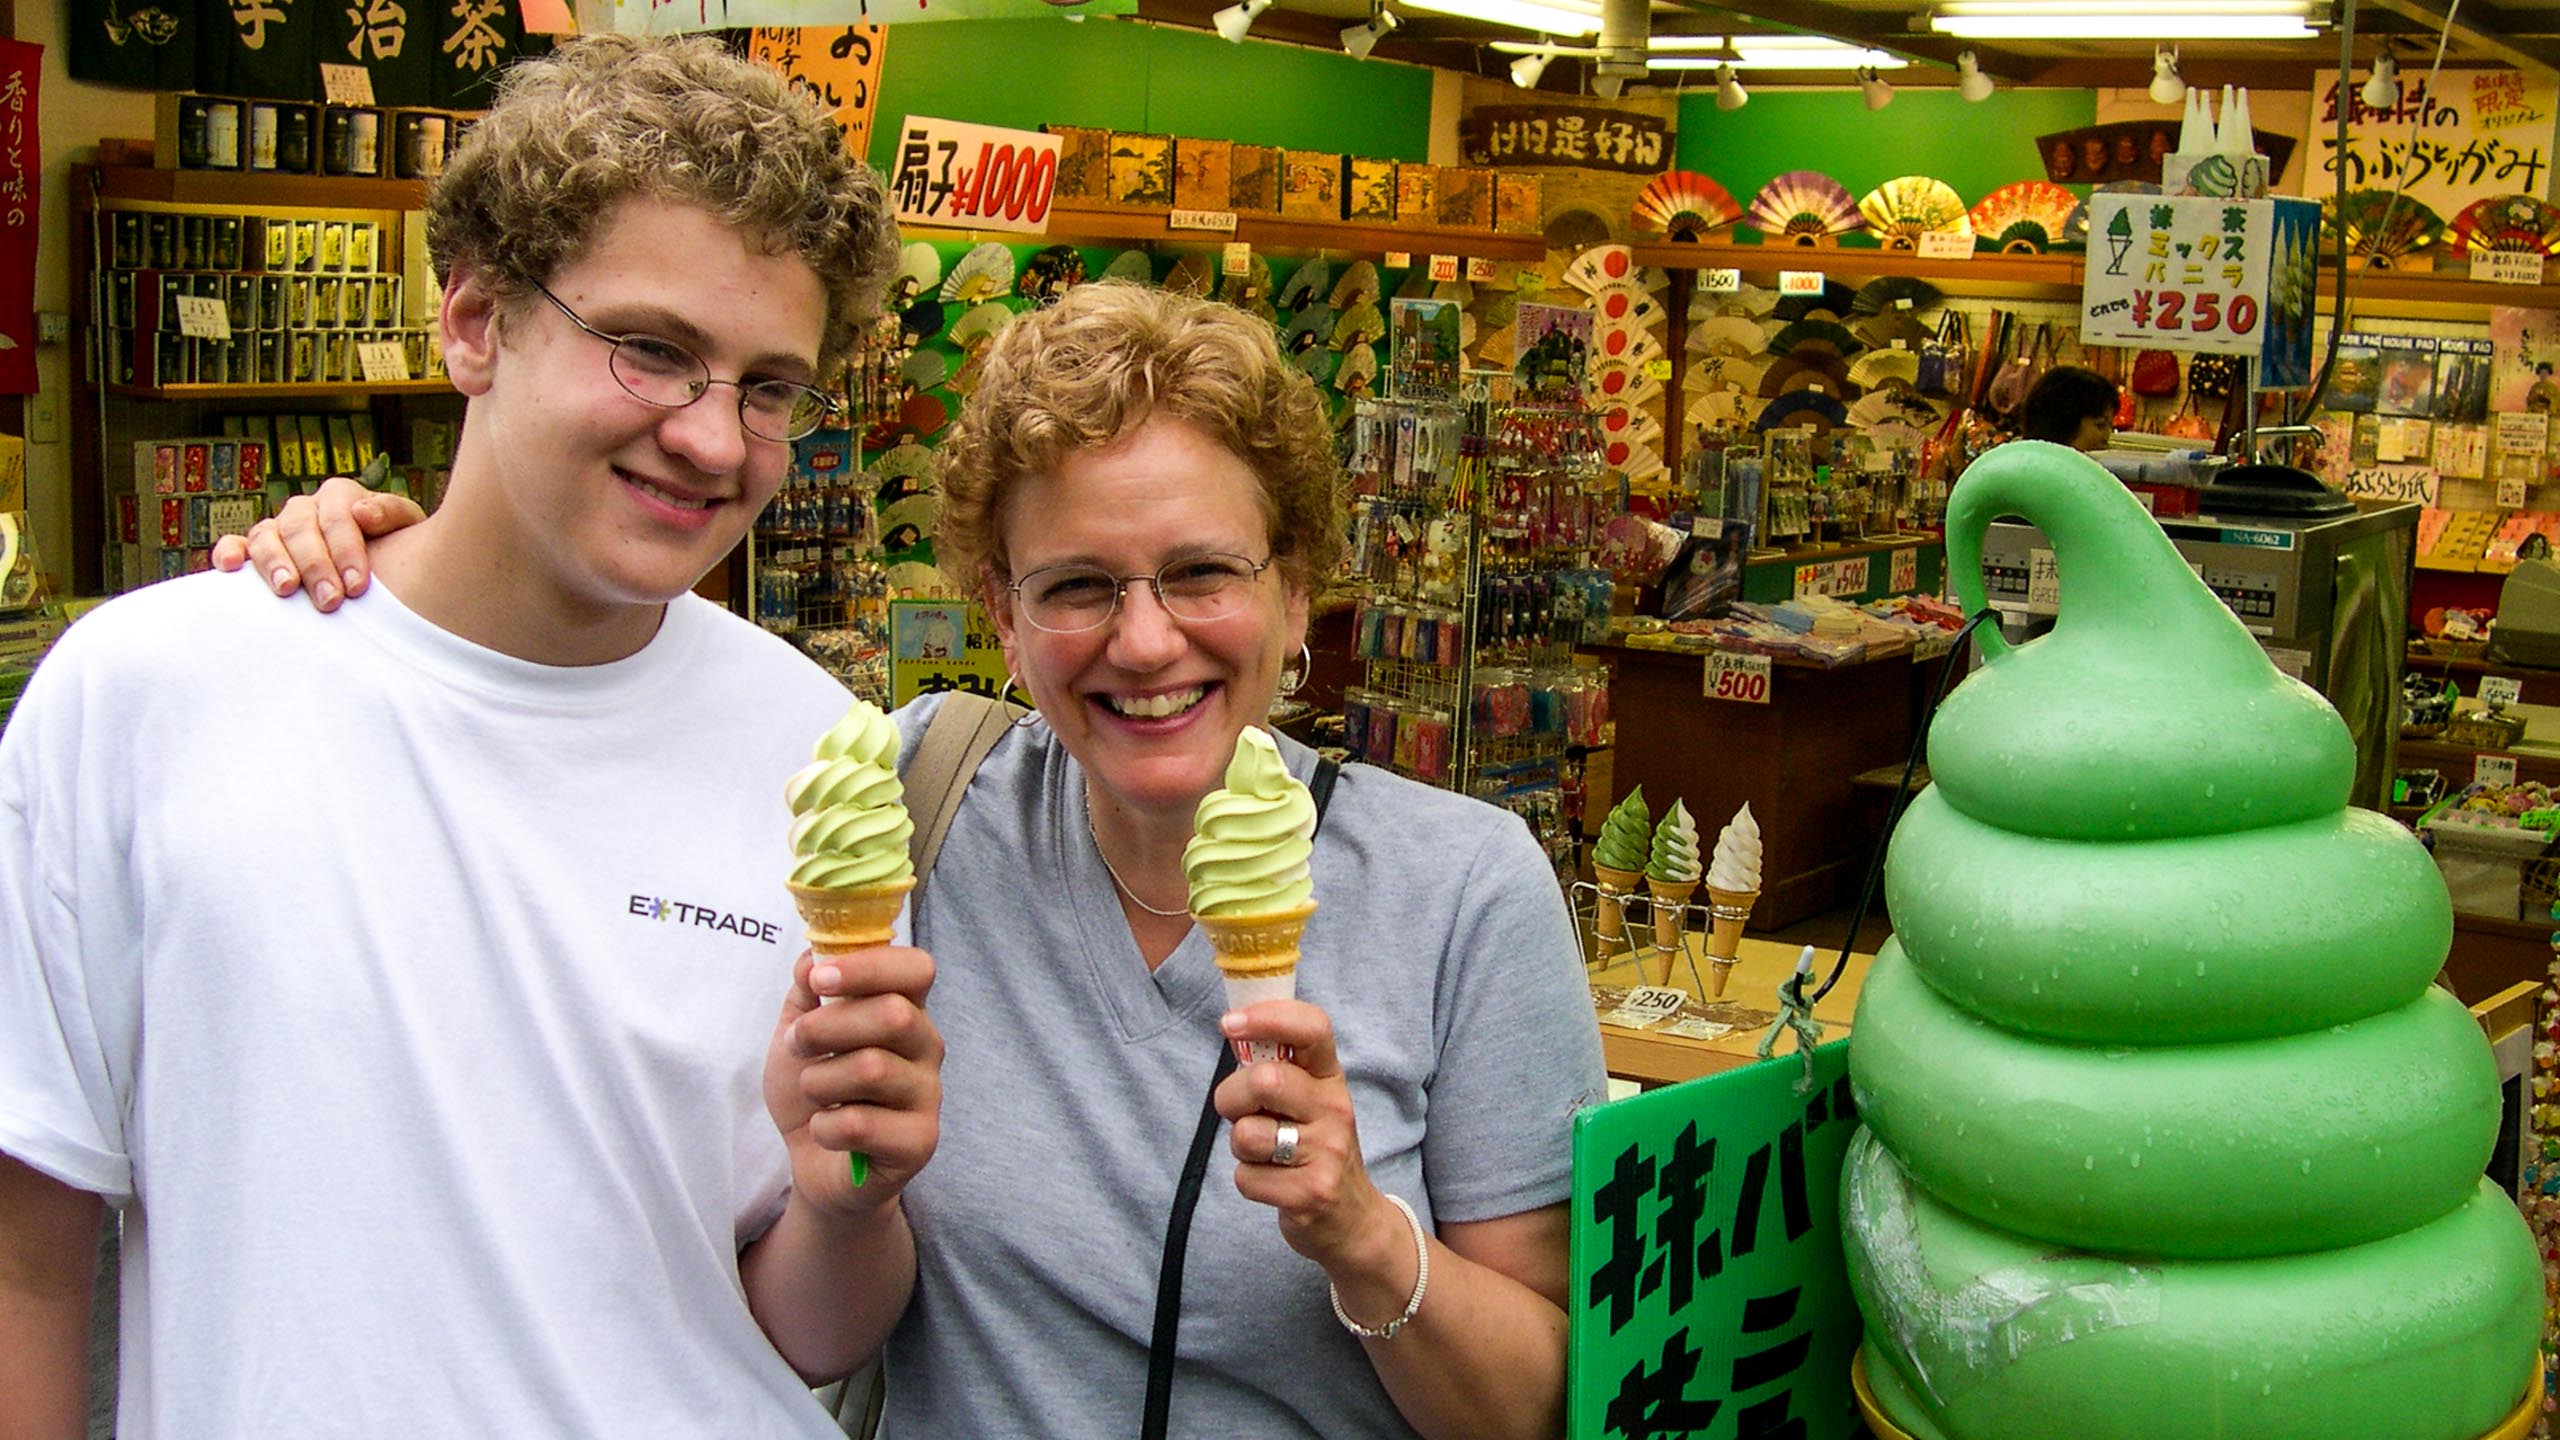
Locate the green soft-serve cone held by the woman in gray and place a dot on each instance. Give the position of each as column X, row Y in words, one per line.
column 1248, row 872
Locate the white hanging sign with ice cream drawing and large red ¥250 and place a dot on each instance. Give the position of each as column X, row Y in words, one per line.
column 2190, row 273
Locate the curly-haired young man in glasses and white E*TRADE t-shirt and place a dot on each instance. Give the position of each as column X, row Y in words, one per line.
column 480, row 1100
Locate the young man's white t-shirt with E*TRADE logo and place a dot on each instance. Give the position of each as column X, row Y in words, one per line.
column 416, row 1003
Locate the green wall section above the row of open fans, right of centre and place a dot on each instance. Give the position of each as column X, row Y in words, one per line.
column 1924, row 132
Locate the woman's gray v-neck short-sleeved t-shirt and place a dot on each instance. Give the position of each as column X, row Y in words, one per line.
column 1074, row 1080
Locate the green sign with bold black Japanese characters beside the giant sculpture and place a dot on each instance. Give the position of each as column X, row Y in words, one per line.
column 1709, row 1295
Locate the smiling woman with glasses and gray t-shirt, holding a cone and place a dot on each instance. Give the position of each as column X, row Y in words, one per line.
column 1146, row 498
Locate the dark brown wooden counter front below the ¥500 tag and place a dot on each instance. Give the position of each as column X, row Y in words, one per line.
column 1793, row 760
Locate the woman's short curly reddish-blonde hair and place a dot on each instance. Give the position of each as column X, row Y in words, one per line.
column 1100, row 365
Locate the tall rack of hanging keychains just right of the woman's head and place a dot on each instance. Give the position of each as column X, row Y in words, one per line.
column 1473, row 524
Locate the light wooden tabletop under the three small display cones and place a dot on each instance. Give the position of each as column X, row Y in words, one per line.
column 1750, row 1006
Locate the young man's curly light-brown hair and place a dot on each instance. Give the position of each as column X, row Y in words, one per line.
column 608, row 119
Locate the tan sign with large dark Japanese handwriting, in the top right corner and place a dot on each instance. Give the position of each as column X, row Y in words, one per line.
column 2464, row 137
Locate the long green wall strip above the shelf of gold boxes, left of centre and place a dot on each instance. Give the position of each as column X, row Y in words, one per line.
column 1146, row 78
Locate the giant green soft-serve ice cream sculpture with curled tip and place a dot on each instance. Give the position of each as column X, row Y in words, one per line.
column 2167, row 1131
